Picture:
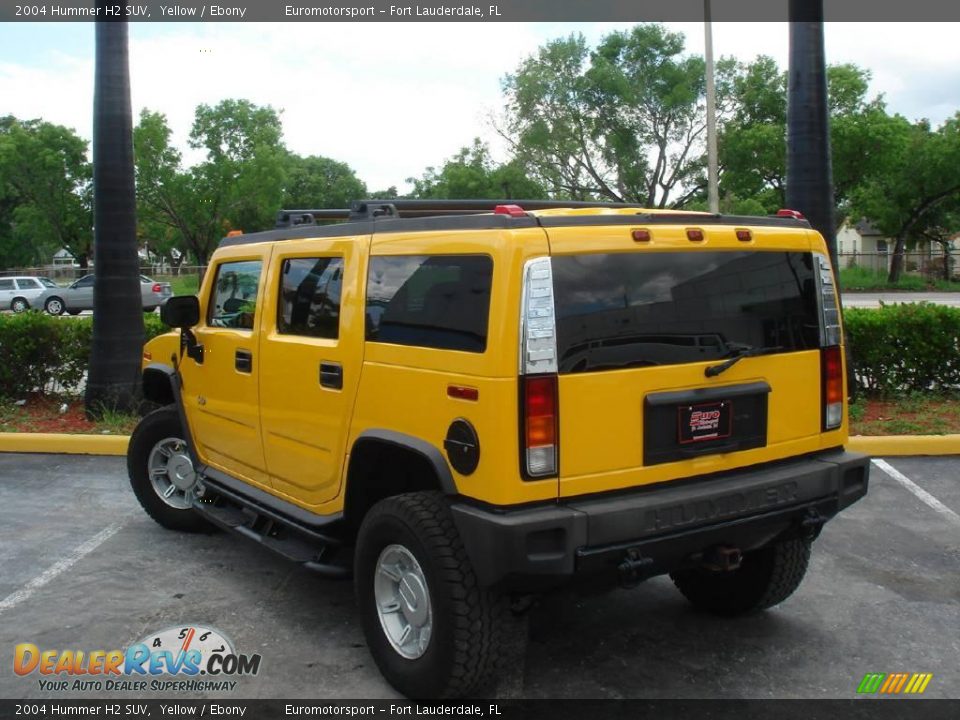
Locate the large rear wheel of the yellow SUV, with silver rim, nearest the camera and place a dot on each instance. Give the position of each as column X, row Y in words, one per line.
column 432, row 630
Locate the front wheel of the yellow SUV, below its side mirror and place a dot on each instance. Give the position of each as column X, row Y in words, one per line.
column 161, row 471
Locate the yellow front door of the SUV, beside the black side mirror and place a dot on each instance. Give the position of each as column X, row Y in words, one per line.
column 221, row 393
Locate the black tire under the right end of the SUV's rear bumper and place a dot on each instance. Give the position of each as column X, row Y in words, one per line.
column 766, row 577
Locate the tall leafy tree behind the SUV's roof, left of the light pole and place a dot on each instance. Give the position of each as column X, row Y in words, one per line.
column 625, row 122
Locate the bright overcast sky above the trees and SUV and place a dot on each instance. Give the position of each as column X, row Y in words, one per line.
column 391, row 99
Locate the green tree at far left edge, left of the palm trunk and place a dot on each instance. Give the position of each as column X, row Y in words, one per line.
column 45, row 189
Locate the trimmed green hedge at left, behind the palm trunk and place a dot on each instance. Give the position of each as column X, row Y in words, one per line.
column 42, row 352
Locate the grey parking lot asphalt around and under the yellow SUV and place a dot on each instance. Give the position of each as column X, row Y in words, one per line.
column 82, row 567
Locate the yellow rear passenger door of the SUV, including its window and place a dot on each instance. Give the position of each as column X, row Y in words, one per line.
column 311, row 352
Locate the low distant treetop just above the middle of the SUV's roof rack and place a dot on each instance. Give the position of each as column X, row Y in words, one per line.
column 472, row 173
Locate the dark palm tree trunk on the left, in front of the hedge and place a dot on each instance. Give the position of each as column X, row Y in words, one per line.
column 114, row 377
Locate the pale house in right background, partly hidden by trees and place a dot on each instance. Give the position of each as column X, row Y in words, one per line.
column 862, row 245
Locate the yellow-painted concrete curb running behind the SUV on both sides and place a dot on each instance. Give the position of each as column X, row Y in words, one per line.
column 881, row 445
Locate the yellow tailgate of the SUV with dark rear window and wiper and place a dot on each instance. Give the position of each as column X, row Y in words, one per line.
column 639, row 327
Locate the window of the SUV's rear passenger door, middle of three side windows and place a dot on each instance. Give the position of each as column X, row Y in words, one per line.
column 310, row 297
